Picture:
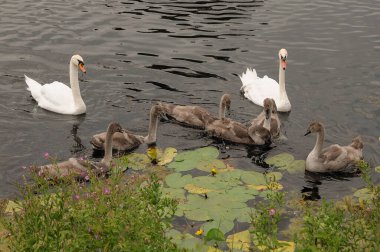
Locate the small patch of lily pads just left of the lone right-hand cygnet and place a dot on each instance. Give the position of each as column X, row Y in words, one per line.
column 286, row 161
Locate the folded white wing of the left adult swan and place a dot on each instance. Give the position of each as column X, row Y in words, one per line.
column 56, row 97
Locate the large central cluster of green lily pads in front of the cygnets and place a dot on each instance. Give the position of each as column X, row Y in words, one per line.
column 218, row 200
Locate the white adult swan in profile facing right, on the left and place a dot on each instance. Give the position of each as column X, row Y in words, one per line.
column 56, row 96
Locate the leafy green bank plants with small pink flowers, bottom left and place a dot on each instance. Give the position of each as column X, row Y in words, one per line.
column 105, row 215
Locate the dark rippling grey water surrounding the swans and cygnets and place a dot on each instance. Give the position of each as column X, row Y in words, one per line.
column 189, row 52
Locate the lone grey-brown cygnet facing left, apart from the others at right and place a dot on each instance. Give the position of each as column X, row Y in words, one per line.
column 333, row 158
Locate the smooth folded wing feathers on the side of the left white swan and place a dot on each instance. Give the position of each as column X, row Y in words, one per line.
column 56, row 94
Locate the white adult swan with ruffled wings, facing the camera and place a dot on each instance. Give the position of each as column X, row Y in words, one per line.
column 257, row 89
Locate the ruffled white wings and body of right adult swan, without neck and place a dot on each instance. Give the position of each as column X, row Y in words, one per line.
column 257, row 89
